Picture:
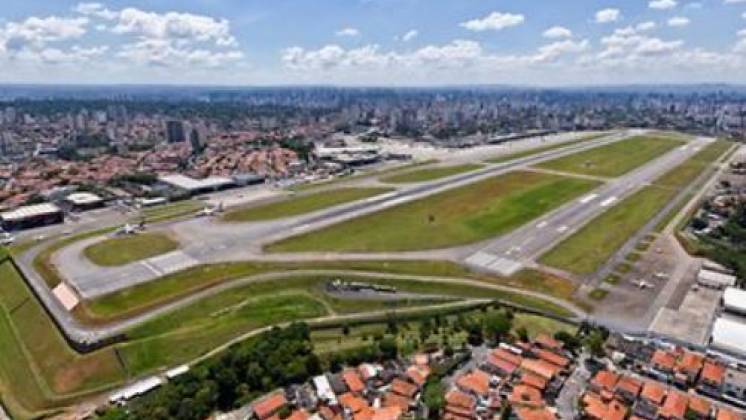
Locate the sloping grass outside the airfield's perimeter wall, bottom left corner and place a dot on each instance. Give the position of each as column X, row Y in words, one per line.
column 37, row 367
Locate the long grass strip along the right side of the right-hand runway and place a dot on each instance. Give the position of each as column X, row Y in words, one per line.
column 589, row 248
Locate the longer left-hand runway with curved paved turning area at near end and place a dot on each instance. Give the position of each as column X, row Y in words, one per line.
column 208, row 241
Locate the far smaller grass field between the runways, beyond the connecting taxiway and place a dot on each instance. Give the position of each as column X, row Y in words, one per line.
column 614, row 159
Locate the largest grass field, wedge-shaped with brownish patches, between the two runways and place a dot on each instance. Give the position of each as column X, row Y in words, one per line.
column 456, row 217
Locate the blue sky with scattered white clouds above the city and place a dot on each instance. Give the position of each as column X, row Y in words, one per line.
column 373, row 42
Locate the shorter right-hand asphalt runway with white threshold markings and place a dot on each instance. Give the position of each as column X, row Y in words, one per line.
column 509, row 253
